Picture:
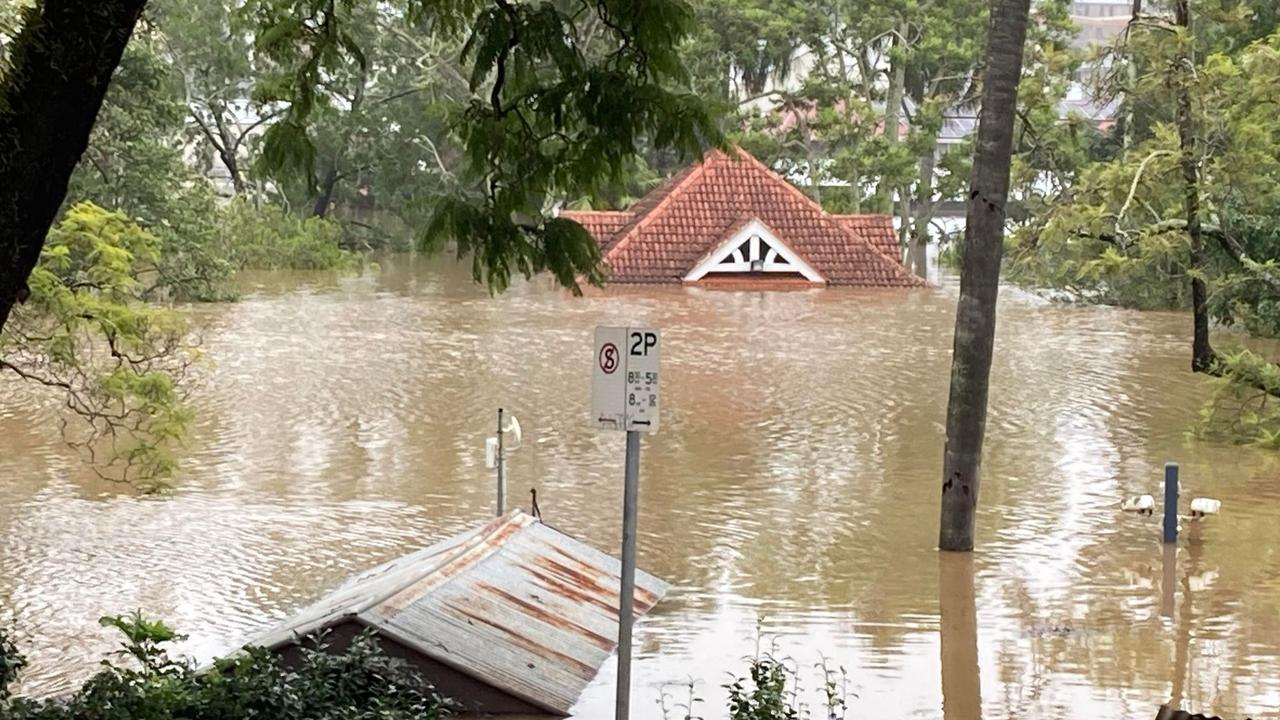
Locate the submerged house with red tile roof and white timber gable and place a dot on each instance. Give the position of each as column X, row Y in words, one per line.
column 730, row 221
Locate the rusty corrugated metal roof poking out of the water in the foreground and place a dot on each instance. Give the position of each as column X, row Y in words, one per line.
column 515, row 604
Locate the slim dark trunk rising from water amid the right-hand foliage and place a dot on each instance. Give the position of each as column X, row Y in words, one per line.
column 1203, row 353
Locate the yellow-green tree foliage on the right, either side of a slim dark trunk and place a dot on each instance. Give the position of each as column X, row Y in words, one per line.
column 1117, row 235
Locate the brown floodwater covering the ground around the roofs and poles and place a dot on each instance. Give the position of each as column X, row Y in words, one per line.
column 792, row 496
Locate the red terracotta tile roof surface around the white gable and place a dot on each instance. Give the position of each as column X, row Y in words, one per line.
column 679, row 224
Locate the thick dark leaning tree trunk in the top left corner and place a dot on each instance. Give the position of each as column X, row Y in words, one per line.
column 60, row 70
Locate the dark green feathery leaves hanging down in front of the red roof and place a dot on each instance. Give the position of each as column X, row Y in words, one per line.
column 565, row 97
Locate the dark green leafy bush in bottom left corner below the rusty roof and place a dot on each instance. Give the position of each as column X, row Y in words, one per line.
column 360, row 683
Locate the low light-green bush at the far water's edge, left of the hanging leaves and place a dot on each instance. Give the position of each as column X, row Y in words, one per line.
column 271, row 239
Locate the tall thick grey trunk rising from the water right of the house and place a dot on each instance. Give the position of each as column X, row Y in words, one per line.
column 980, row 275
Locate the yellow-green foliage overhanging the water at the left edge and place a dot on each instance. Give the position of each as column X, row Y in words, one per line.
column 118, row 361
